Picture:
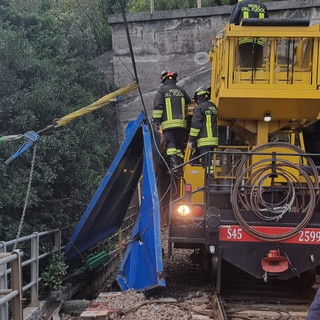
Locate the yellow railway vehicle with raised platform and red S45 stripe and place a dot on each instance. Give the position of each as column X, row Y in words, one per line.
column 259, row 210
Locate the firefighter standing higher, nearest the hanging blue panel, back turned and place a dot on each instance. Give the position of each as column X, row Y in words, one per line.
column 169, row 111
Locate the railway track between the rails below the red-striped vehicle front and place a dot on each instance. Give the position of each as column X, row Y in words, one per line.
column 243, row 297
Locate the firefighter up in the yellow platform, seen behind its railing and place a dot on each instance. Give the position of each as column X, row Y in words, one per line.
column 250, row 49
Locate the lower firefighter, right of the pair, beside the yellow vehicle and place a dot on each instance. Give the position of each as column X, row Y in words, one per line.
column 204, row 125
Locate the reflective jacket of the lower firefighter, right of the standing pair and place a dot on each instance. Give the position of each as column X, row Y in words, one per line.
column 204, row 124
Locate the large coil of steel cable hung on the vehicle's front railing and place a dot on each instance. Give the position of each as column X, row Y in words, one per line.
column 252, row 185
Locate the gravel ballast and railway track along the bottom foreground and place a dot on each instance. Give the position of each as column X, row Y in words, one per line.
column 189, row 295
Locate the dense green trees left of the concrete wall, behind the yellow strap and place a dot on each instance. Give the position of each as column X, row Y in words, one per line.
column 45, row 73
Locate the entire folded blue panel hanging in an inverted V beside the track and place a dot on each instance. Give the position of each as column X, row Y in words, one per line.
column 141, row 268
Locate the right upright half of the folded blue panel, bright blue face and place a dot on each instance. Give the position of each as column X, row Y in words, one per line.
column 142, row 267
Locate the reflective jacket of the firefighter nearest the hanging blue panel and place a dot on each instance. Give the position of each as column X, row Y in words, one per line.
column 169, row 106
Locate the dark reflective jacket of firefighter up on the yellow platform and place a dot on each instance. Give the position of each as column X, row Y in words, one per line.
column 245, row 10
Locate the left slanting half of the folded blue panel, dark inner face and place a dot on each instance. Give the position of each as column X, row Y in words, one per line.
column 108, row 206
